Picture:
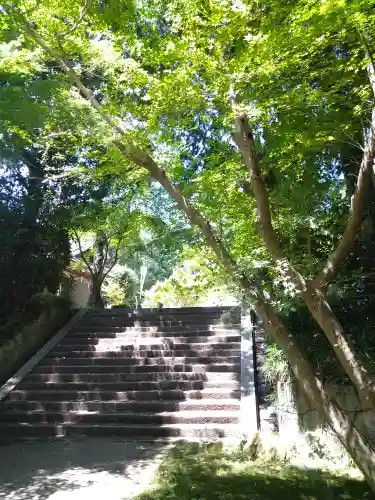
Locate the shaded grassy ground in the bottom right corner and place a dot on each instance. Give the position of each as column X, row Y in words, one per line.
column 193, row 472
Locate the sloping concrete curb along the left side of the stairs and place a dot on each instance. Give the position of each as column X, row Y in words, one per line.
column 32, row 362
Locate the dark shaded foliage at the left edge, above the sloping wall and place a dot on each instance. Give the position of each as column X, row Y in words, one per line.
column 34, row 243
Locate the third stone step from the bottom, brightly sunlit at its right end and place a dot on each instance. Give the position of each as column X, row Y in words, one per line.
column 115, row 405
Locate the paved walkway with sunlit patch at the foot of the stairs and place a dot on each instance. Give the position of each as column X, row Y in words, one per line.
column 87, row 469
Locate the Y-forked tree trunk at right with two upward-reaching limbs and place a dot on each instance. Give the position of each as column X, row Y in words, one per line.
column 360, row 374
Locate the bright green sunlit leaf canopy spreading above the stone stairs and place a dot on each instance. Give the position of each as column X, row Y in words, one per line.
column 164, row 72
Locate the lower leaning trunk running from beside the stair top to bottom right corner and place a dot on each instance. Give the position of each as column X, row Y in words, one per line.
column 348, row 434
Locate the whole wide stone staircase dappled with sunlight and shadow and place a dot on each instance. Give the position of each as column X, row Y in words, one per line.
column 173, row 373
